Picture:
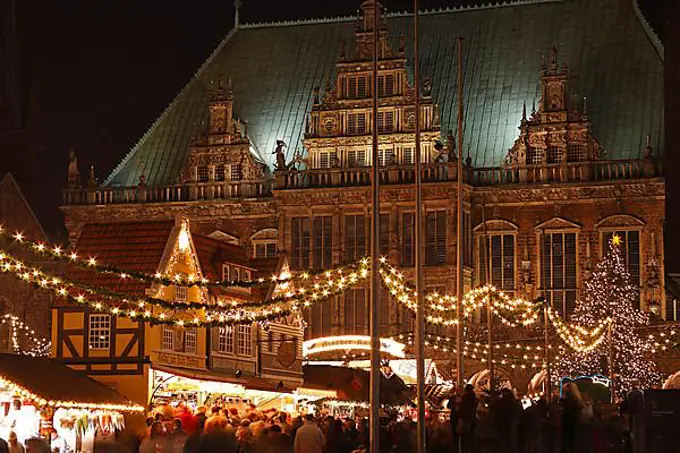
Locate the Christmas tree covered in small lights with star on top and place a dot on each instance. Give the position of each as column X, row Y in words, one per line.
column 609, row 293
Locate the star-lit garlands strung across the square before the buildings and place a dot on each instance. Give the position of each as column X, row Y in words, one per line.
column 441, row 310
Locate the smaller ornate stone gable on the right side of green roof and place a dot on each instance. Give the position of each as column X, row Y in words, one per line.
column 557, row 132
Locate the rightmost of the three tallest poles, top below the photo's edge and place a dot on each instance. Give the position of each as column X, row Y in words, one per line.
column 459, row 230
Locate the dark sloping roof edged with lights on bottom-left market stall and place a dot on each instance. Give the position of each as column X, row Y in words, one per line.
column 48, row 382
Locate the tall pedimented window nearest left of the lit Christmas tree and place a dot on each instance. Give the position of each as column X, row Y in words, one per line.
column 559, row 271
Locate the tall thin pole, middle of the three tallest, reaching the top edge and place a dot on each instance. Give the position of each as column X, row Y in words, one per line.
column 420, row 311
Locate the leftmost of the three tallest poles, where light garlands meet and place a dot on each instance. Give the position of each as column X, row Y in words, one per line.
column 375, row 247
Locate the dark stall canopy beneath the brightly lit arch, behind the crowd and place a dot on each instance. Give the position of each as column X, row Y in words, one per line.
column 353, row 384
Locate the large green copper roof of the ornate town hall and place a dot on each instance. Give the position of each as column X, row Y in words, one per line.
column 612, row 57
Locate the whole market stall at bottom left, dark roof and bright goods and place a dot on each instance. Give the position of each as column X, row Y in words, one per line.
column 40, row 397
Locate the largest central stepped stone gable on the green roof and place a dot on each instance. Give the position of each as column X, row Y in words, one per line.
column 339, row 127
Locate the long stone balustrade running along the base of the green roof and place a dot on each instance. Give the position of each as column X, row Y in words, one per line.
column 577, row 172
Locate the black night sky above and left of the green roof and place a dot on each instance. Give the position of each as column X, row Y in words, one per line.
column 105, row 69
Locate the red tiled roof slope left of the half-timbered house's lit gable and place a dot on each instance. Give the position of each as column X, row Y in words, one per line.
column 133, row 246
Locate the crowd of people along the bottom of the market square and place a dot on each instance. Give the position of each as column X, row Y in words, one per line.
column 474, row 423
